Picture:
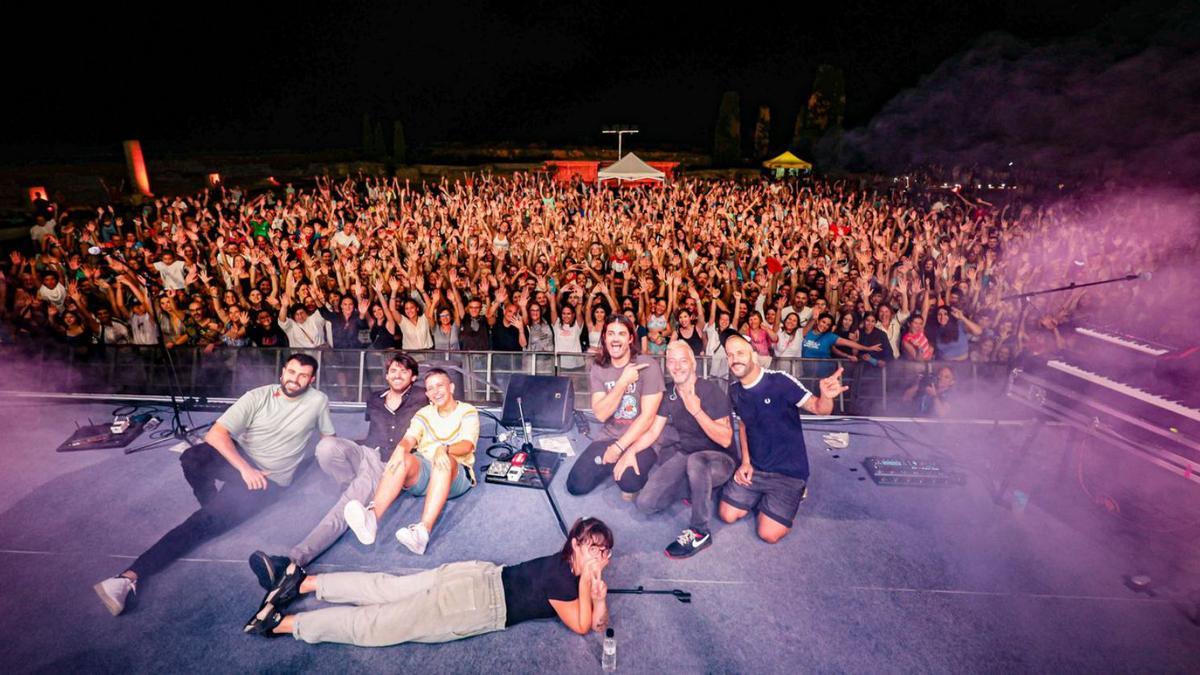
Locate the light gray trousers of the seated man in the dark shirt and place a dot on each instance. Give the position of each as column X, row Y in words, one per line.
column 357, row 470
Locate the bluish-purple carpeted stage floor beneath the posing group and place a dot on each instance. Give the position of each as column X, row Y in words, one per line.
column 873, row 578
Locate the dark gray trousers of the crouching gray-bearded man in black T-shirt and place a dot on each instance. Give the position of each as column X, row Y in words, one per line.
column 687, row 475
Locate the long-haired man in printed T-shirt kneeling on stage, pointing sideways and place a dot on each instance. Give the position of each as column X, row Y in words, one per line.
column 627, row 390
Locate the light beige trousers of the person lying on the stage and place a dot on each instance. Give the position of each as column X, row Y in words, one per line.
column 455, row 601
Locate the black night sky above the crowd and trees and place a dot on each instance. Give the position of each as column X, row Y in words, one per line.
column 301, row 79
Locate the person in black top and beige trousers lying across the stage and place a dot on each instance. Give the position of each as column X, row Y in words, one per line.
column 455, row 601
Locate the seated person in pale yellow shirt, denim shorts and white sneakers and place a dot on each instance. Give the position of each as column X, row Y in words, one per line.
column 443, row 435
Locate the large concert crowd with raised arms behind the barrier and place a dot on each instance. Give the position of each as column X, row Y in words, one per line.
column 806, row 268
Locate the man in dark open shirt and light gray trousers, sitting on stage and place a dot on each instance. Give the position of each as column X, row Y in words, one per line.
column 357, row 468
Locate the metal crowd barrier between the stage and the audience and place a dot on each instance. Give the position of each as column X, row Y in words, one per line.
column 349, row 377
